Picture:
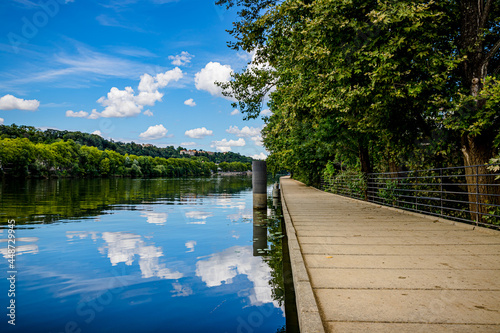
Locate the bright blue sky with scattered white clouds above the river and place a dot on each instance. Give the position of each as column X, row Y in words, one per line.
column 127, row 70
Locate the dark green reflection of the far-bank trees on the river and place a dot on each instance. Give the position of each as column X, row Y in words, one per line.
column 52, row 200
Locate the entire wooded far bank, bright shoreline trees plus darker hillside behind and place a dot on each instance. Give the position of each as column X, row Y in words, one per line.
column 28, row 152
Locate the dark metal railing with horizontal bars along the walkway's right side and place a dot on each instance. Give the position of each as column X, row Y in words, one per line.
column 466, row 194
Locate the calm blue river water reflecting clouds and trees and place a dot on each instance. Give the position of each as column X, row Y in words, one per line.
column 133, row 255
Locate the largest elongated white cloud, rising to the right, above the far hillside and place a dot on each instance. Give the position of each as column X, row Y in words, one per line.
column 125, row 103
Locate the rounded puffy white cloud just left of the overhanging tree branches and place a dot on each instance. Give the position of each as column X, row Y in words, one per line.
column 213, row 72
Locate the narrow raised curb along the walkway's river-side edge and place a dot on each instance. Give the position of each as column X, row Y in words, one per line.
column 307, row 308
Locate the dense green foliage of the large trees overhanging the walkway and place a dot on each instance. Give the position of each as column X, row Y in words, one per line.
column 377, row 85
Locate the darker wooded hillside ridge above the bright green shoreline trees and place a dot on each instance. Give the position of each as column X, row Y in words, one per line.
column 85, row 139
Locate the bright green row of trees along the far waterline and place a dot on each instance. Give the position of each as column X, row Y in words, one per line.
column 20, row 157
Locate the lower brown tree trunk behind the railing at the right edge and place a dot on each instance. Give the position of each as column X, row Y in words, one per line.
column 477, row 151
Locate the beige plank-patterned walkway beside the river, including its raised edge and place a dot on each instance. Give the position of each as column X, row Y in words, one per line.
column 361, row 267
